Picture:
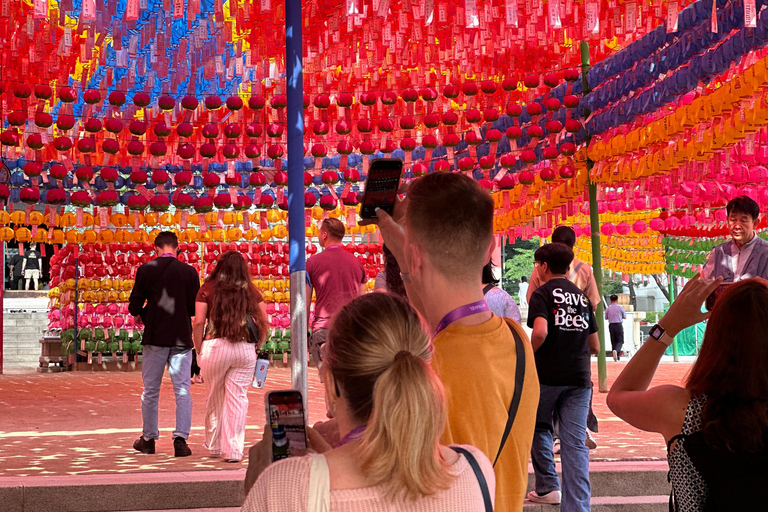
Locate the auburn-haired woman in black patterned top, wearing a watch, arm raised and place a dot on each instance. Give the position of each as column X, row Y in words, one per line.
column 716, row 427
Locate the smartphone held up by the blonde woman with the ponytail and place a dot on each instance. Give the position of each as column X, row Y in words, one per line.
column 285, row 415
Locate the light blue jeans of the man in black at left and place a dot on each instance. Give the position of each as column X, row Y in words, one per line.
column 153, row 363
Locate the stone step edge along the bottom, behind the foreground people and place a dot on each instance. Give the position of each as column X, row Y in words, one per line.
column 616, row 487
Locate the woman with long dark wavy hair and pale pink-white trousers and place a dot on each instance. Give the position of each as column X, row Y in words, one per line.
column 226, row 359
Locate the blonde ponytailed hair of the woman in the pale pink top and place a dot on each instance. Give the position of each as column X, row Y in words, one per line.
column 379, row 355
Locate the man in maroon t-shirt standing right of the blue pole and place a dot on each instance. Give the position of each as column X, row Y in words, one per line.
column 336, row 276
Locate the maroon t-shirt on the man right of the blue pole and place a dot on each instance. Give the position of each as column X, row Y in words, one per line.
column 336, row 276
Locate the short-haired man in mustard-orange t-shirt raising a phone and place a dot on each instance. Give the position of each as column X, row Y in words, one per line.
column 442, row 244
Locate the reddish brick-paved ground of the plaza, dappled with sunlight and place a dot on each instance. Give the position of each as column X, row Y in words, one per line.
column 81, row 423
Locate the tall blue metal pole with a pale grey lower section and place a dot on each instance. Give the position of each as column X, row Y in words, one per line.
column 296, row 226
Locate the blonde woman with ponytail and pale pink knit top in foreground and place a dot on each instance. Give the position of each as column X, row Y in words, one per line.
column 390, row 410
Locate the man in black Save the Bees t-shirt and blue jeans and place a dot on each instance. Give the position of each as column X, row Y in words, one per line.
column 564, row 335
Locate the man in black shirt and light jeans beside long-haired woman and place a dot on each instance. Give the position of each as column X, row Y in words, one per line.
column 164, row 297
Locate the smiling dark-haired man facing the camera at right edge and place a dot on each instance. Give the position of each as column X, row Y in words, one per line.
column 746, row 254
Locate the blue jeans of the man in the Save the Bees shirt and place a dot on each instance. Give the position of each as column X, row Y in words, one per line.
column 571, row 403
